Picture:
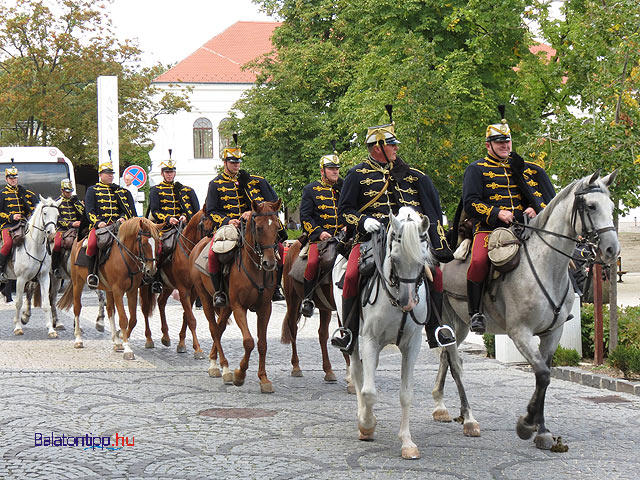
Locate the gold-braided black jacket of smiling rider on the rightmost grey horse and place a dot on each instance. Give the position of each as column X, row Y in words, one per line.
column 491, row 185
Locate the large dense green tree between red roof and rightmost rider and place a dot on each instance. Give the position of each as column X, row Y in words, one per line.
column 336, row 63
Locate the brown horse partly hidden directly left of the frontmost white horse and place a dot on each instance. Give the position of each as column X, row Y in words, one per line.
column 323, row 299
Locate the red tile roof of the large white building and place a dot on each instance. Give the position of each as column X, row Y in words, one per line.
column 220, row 60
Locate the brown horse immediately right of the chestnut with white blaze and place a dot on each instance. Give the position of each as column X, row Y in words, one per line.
column 176, row 276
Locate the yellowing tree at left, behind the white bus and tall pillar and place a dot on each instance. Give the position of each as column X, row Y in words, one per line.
column 51, row 54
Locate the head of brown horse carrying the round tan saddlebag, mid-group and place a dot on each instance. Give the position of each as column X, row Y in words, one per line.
column 262, row 233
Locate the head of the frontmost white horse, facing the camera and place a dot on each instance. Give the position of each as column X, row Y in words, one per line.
column 409, row 254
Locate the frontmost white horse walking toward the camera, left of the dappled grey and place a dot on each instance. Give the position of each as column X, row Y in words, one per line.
column 394, row 313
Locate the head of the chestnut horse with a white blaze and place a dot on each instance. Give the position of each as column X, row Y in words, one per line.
column 140, row 235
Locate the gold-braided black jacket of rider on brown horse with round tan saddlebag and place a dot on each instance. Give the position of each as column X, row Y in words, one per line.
column 229, row 197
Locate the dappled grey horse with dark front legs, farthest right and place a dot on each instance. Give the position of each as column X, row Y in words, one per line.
column 535, row 299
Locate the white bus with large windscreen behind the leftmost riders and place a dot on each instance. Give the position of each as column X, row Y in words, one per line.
column 40, row 168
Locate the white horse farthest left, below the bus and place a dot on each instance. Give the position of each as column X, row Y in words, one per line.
column 32, row 261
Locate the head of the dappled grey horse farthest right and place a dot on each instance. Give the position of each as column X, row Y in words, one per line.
column 593, row 215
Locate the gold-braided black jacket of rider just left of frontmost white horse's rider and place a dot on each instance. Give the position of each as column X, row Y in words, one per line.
column 319, row 209
